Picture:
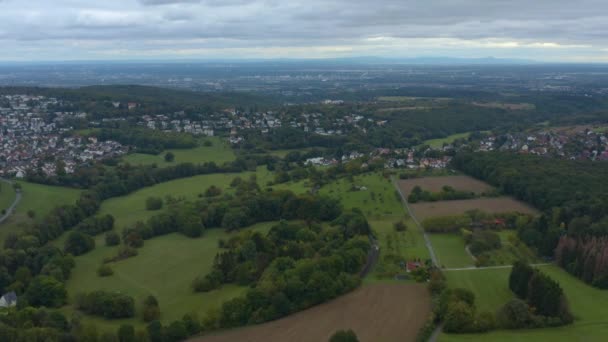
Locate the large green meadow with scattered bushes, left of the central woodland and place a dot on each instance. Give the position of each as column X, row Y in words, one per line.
column 165, row 267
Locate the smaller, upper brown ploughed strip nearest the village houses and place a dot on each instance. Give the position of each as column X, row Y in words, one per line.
column 435, row 184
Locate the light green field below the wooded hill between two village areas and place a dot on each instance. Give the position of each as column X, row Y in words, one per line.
column 219, row 153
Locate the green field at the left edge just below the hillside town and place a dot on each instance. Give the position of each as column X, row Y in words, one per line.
column 39, row 198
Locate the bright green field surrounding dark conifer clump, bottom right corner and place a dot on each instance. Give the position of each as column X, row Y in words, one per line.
column 587, row 303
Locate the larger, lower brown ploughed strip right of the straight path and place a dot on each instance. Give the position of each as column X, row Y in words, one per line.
column 424, row 210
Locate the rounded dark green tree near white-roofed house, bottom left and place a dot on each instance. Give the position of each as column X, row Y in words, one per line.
column 46, row 291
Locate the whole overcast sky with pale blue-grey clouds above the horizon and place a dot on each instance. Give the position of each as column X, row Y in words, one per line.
column 549, row 30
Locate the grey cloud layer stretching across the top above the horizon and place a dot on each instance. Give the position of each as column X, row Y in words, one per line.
column 271, row 23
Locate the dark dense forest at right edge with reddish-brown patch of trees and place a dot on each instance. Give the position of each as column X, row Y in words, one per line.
column 573, row 199
